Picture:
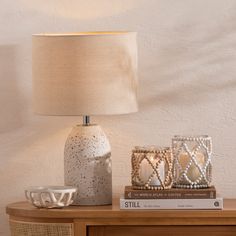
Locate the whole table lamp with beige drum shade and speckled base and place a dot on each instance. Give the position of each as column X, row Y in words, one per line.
column 91, row 73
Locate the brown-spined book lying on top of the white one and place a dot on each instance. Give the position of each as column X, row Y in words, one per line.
column 173, row 193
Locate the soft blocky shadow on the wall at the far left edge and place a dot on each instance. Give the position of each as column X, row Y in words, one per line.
column 11, row 100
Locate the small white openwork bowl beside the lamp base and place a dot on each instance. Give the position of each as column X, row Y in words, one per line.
column 50, row 196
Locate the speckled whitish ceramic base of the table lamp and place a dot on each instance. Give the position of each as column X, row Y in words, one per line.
column 88, row 165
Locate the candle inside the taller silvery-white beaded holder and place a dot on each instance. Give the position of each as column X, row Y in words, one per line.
column 193, row 172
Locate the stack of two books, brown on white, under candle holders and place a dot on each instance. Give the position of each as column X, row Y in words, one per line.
column 174, row 198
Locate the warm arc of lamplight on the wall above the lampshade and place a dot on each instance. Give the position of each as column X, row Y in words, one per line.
column 79, row 9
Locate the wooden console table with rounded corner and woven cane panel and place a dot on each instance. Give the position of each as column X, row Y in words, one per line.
column 26, row 220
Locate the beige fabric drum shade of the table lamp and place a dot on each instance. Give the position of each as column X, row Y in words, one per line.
column 85, row 73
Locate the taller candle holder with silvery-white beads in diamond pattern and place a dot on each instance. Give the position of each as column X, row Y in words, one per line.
column 192, row 167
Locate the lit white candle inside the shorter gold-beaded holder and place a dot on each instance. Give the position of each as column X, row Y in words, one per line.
column 146, row 170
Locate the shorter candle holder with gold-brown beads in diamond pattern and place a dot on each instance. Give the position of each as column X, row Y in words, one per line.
column 151, row 168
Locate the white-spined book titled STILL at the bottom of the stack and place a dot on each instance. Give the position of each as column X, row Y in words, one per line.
column 154, row 204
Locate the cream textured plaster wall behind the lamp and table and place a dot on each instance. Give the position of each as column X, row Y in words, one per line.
column 187, row 69
